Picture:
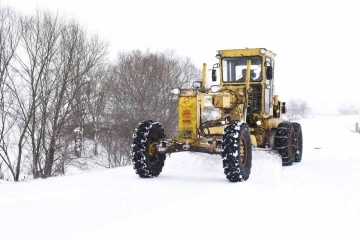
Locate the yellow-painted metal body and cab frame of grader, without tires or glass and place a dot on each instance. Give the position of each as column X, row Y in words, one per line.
column 192, row 103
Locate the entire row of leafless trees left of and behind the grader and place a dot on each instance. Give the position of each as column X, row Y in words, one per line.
column 62, row 101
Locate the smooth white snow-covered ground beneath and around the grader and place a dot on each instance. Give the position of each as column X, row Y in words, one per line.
column 318, row 198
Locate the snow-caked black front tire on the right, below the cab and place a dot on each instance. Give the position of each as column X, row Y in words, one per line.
column 235, row 133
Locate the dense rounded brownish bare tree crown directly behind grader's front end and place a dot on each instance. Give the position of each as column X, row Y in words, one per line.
column 142, row 84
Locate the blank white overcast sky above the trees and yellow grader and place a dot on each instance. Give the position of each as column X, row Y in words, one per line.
column 316, row 41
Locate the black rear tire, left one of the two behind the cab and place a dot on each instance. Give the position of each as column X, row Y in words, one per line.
column 285, row 142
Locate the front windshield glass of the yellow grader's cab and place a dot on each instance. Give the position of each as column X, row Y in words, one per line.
column 234, row 69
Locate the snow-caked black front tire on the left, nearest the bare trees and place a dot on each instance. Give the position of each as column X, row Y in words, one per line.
column 147, row 166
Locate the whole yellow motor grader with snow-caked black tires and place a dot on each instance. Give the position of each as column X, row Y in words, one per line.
column 249, row 118
